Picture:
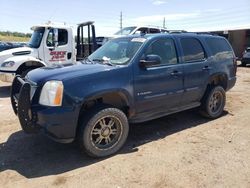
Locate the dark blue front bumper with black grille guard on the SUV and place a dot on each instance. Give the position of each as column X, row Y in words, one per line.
column 59, row 123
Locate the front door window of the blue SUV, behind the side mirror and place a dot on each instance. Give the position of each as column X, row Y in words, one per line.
column 165, row 48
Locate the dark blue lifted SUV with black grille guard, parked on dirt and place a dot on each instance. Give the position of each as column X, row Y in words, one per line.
column 128, row 80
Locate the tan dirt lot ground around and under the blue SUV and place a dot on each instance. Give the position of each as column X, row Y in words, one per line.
column 180, row 150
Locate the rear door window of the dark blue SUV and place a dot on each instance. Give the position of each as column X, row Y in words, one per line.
column 192, row 49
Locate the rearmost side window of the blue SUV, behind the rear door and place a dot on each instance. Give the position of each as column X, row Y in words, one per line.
column 220, row 48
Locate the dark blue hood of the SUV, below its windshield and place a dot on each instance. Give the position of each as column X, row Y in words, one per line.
column 59, row 72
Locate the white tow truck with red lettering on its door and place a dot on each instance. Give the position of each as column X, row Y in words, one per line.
column 50, row 43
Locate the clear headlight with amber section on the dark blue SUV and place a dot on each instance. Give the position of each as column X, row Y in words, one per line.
column 52, row 93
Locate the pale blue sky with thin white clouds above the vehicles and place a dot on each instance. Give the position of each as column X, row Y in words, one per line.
column 191, row 15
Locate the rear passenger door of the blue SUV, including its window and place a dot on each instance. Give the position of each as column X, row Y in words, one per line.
column 196, row 68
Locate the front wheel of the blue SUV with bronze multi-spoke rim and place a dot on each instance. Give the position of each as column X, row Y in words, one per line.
column 103, row 131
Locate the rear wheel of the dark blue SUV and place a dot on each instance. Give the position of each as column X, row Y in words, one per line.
column 213, row 103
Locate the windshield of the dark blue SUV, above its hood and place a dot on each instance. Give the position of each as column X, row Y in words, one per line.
column 117, row 51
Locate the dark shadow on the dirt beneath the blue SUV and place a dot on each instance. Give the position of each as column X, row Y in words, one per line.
column 36, row 155
